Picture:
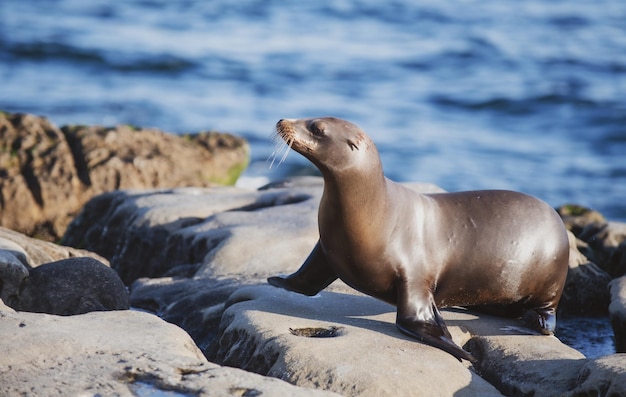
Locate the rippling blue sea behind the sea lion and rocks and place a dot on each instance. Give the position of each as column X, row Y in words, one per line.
column 528, row 95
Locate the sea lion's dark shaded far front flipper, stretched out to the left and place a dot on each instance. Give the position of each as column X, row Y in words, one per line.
column 314, row 275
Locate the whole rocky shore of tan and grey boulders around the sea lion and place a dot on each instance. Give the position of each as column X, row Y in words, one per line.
column 204, row 322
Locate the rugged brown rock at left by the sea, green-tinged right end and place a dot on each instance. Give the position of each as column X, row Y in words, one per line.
column 47, row 173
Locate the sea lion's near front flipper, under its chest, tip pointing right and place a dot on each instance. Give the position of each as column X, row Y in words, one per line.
column 426, row 324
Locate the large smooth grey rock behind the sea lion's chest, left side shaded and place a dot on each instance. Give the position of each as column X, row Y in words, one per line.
column 202, row 231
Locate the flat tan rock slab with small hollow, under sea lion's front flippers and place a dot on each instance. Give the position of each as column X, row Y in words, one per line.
column 367, row 357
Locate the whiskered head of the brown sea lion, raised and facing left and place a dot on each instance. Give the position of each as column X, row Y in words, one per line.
column 330, row 143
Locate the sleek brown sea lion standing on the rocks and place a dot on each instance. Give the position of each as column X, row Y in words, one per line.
column 493, row 250
